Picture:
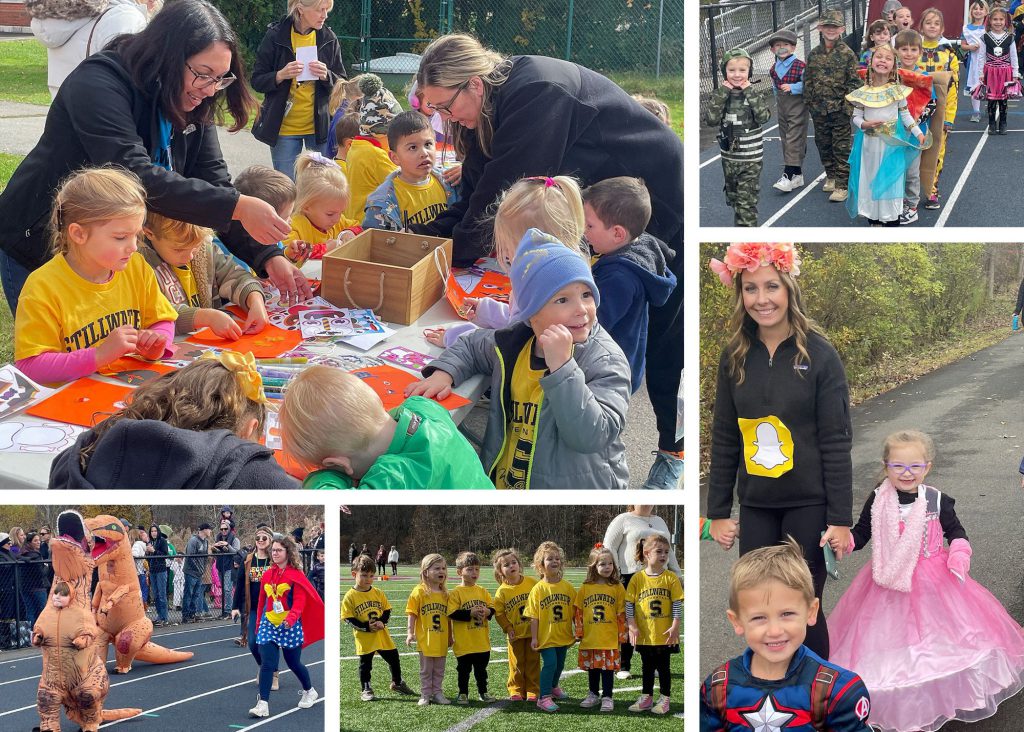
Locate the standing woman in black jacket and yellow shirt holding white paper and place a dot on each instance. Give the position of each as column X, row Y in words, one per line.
column 295, row 114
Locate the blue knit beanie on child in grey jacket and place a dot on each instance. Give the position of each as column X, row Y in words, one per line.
column 543, row 266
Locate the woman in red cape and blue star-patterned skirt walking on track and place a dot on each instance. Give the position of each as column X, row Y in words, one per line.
column 291, row 619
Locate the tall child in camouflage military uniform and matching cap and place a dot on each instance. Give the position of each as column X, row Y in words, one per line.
column 831, row 75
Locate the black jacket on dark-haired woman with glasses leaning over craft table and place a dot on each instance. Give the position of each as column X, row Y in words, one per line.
column 101, row 117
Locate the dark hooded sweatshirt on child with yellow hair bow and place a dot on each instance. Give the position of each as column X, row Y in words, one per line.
column 147, row 454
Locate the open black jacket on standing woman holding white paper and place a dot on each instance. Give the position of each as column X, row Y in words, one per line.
column 275, row 52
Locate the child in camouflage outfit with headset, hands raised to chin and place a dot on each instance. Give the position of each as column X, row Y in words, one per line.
column 739, row 113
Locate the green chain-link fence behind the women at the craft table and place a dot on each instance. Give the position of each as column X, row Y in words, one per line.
column 387, row 36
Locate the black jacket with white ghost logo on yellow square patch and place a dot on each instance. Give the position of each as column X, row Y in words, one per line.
column 813, row 404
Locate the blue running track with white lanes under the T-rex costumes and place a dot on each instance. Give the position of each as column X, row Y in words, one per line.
column 212, row 692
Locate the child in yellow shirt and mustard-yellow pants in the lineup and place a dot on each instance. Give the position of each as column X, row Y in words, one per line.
column 510, row 602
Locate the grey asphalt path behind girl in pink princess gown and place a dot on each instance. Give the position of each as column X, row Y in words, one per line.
column 972, row 410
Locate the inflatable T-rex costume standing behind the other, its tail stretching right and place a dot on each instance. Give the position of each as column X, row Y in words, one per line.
column 118, row 601
